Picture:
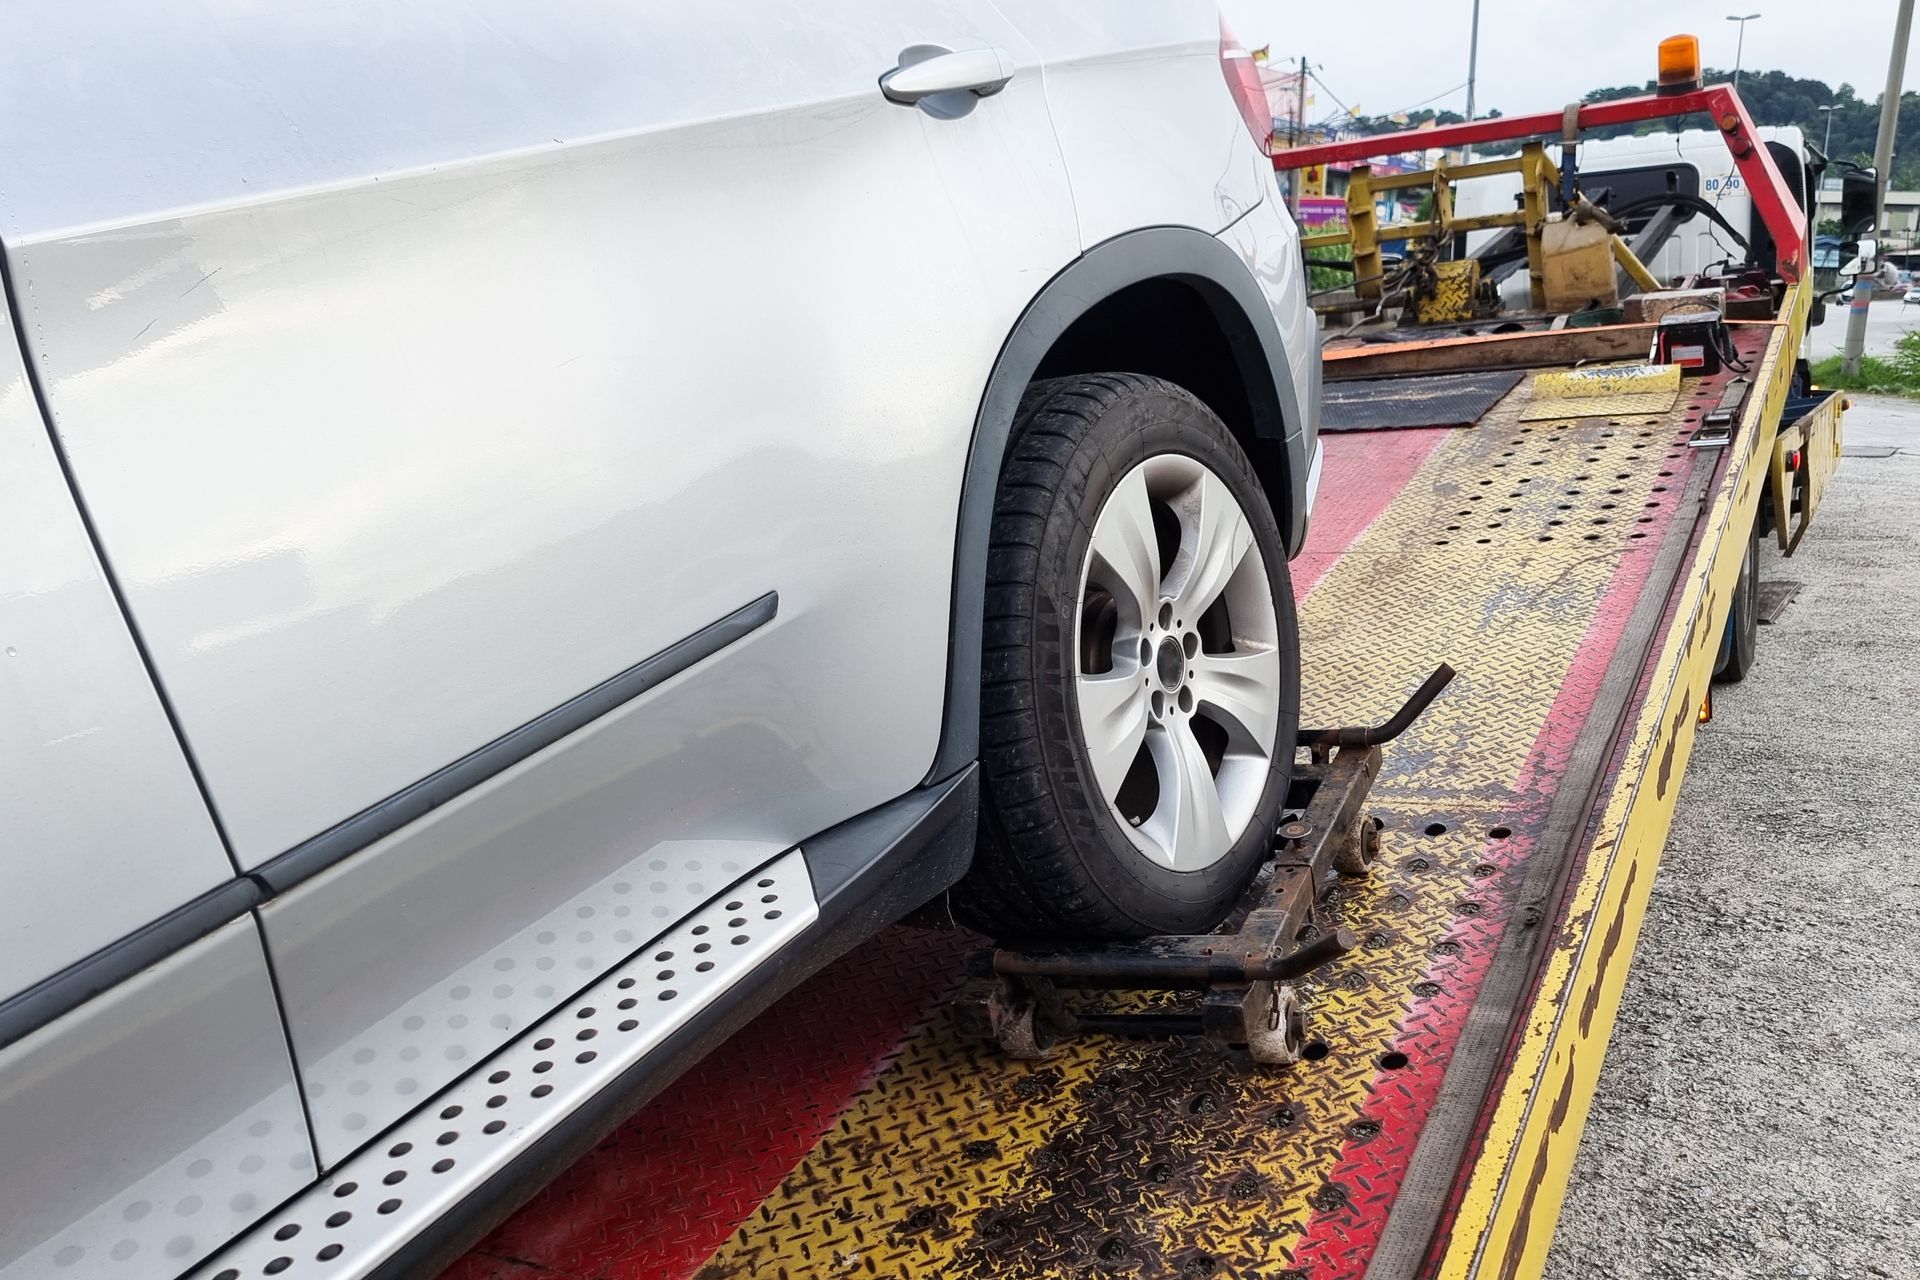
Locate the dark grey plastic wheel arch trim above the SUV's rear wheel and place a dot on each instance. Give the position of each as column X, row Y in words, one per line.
column 1109, row 268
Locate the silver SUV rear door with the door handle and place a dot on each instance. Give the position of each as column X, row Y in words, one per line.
column 531, row 444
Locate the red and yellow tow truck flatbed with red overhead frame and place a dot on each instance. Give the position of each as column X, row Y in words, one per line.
column 1437, row 1024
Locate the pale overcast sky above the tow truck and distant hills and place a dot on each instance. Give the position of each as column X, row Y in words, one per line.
column 1537, row 55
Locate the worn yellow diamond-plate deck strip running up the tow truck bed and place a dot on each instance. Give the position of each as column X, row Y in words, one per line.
column 1516, row 554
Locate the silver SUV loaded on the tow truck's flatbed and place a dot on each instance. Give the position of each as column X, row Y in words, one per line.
column 525, row 531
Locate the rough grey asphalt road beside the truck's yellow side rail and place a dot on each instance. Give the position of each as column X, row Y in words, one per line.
column 1760, row 1108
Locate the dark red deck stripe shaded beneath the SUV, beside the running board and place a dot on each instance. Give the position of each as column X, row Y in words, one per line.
column 671, row 1185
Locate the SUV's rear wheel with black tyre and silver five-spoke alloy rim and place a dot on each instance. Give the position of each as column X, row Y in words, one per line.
column 1141, row 669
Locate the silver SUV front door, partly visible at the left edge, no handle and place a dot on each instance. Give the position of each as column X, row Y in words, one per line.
column 147, row 1110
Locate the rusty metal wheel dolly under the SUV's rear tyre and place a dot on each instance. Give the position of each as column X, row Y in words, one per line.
column 1247, row 970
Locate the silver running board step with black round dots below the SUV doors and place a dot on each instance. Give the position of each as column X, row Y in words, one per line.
column 356, row 1218
